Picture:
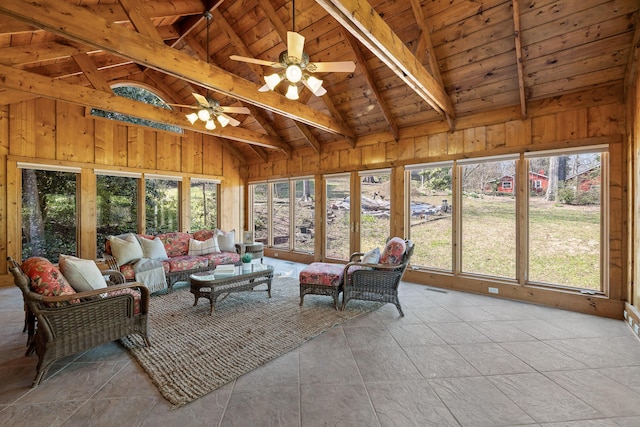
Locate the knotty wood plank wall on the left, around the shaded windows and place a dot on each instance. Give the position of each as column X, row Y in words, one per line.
column 52, row 132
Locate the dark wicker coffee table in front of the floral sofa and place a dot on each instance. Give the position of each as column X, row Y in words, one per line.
column 216, row 287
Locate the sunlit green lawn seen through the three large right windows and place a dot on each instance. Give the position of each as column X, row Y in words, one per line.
column 564, row 242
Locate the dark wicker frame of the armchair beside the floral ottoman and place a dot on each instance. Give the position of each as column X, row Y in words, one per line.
column 375, row 282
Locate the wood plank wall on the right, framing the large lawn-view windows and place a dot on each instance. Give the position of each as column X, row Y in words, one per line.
column 580, row 119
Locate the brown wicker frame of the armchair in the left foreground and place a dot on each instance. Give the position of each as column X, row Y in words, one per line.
column 69, row 324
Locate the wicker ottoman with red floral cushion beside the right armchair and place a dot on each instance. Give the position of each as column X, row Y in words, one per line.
column 322, row 278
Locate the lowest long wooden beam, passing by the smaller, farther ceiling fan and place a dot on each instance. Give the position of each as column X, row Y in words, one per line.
column 21, row 80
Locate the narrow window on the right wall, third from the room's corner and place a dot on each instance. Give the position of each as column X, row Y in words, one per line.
column 304, row 215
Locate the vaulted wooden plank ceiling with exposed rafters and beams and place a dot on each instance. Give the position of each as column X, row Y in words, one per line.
column 417, row 61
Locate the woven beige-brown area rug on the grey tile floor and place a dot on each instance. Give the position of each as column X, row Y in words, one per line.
column 193, row 353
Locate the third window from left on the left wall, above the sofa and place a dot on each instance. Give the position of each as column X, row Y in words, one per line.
column 161, row 204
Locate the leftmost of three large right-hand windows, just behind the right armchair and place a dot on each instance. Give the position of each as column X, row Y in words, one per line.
column 430, row 222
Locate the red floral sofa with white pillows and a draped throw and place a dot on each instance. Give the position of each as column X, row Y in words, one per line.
column 180, row 253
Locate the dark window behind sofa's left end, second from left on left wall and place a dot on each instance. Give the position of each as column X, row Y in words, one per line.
column 116, row 206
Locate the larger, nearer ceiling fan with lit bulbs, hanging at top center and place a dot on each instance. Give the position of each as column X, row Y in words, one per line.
column 296, row 67
